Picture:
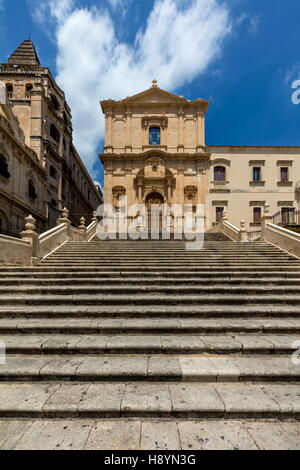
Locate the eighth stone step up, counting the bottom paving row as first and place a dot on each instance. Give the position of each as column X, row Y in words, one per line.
column 154, row 288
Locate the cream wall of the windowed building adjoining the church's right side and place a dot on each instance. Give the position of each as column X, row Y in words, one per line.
column 241, row 195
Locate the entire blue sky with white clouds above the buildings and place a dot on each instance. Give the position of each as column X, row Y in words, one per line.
column 242, row 55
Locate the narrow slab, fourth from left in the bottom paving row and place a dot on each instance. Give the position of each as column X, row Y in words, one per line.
column 160, row 435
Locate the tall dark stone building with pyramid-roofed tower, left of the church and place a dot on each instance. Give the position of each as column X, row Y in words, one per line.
column 44, row 117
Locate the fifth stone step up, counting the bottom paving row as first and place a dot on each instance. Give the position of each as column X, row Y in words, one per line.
column 156, row 325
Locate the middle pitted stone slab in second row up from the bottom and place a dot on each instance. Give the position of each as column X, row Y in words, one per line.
column 146, row 398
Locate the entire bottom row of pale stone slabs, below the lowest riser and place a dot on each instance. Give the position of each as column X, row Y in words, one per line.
column 162, row 434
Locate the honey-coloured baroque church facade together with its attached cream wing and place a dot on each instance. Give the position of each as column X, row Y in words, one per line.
column 155, row 153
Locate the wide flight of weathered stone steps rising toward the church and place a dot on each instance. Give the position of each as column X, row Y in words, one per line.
column 149, row 330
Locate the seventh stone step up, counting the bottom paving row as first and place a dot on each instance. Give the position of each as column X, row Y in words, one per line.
column 150, row 299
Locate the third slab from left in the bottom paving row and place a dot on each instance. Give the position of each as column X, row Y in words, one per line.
column 114, row 435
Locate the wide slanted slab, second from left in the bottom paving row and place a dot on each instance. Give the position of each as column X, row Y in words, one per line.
column 55, row 435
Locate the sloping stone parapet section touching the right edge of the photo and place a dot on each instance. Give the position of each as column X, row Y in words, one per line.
column 282, row 238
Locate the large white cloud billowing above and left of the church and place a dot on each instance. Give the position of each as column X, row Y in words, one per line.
column 179, row 41
